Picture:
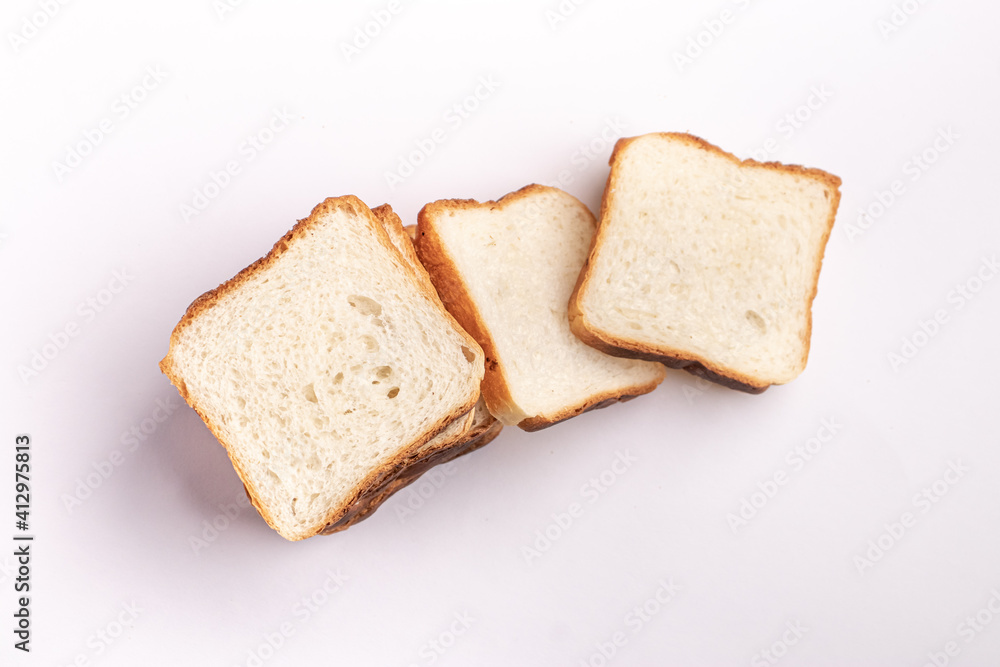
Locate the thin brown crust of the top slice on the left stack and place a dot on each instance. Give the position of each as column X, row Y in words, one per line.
column 208, row 300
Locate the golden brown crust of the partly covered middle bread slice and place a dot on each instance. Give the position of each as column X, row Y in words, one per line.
column 457, row 298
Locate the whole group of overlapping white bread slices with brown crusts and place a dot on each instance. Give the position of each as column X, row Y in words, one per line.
column 357, row 354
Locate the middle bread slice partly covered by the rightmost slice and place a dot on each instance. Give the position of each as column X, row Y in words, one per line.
column 505, row 270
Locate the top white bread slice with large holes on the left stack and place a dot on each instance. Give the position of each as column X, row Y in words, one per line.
column 322, row 366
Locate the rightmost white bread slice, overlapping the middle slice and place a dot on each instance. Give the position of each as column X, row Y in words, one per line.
column 705, row 262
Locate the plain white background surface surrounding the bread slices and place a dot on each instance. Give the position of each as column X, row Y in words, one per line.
column 699, row 451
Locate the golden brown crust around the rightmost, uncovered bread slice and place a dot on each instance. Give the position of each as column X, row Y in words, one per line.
column 671, row 357
